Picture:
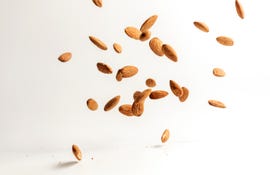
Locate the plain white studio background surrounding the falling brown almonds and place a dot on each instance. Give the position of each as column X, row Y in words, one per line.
column 43, row 101
